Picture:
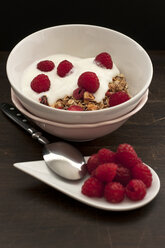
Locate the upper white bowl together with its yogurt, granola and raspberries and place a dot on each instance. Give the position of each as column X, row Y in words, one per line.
column 79, row 74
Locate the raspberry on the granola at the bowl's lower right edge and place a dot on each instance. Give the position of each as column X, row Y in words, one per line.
column 118, row 98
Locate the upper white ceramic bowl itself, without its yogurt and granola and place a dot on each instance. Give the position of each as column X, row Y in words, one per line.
column 81, row 41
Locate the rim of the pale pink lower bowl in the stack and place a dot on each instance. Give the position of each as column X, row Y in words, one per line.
column 21, row 108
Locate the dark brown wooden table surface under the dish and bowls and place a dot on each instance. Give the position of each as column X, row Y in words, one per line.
column 33, row 214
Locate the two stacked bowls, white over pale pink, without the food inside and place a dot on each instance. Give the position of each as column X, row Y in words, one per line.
column 81, row 41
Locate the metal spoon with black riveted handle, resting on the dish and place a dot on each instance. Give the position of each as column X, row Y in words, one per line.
column 62, row 158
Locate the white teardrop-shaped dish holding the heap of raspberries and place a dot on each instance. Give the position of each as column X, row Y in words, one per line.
column 39, row 170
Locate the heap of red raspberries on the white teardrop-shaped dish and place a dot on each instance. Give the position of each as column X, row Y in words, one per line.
column 116, row 175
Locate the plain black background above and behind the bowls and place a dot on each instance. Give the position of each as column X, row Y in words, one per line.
column 142, row 20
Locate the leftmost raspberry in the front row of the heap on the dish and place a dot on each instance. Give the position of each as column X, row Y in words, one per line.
column 92, row 187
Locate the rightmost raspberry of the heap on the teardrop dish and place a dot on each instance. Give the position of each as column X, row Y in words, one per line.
column 142, row 172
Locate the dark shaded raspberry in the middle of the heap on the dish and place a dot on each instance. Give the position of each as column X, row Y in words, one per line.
column 123, row 175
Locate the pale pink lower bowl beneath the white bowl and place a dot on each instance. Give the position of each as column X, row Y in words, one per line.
column 79, row 132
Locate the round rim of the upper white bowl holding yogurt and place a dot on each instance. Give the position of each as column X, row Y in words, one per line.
column 86, row 113
